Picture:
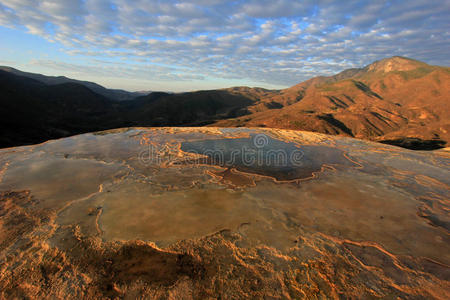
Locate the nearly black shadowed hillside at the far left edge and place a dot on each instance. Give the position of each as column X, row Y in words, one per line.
column 32, row 112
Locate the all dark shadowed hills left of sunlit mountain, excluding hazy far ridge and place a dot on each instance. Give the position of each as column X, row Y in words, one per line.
column 33, row 112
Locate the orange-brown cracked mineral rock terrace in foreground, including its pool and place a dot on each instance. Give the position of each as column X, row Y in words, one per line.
column 195, row 213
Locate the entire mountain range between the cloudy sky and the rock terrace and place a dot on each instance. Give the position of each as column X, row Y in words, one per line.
column 395, row 100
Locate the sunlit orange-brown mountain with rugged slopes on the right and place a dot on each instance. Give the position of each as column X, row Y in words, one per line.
column 388, row 100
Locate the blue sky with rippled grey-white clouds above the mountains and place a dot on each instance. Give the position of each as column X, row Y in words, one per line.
column 205, row 44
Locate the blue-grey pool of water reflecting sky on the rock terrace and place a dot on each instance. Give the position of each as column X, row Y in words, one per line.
column 264, row 155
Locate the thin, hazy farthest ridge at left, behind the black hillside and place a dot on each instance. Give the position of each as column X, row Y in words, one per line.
column 114, row 94
